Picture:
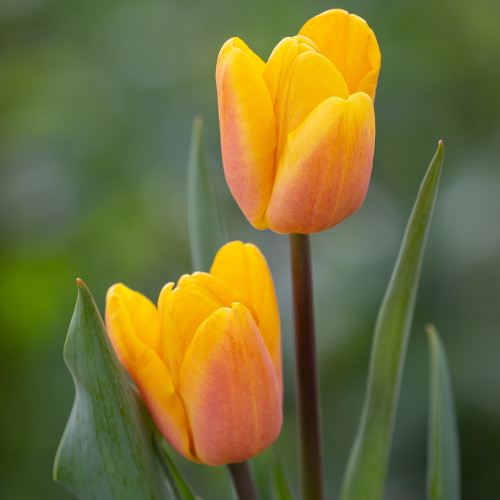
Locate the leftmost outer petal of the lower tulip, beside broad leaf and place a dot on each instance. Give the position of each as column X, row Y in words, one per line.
column 149, row 373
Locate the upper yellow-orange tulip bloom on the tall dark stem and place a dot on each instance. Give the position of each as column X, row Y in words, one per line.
column 298, row 132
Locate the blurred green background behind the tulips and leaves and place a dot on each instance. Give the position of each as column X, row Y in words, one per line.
column 96, row 103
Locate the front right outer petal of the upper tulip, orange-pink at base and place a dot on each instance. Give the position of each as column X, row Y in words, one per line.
column 324, row 172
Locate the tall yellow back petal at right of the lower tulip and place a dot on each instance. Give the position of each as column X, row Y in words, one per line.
column 244, row 267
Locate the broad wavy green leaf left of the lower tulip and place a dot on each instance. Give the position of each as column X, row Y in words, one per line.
column 105, row 451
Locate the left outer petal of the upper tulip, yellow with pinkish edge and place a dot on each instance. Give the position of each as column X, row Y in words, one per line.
column 248, row 128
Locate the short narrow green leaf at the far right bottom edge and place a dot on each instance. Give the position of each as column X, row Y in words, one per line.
column 443, row 460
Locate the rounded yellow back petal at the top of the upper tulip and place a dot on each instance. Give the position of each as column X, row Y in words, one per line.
column 350, row 44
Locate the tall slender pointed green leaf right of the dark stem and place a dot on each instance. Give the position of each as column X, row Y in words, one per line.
column 367, row 466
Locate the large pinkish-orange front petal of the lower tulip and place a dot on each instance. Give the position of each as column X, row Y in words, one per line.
column 230, row 389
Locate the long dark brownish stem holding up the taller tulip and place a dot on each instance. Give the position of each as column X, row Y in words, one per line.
column 307, row 398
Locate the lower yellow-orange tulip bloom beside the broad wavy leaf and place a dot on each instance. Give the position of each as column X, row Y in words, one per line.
column 207, row 360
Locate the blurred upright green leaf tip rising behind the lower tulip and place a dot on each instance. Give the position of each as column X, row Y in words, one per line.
column 206, row 228
